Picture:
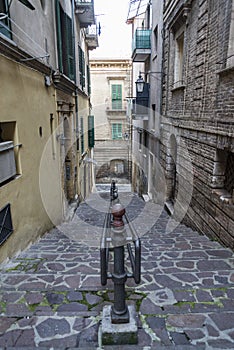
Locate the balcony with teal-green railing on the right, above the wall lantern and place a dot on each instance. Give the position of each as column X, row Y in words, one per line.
column 141, row 45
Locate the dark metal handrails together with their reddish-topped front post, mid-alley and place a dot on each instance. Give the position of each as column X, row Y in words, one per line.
column 114, row 238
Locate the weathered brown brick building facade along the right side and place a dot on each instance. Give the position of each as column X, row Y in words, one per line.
column 197, row 122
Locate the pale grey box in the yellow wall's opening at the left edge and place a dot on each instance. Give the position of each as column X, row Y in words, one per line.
column 7, row 161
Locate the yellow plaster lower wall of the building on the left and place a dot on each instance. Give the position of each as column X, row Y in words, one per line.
column 25, row 99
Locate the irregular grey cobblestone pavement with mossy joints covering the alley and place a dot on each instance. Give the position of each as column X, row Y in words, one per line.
column 51, row 296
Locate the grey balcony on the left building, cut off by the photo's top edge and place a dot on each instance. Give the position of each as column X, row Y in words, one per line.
column 85, row 12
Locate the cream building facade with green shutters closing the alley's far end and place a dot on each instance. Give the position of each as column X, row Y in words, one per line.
column 111, row 83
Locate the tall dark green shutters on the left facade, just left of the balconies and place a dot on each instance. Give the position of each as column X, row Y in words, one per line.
column 65, row 42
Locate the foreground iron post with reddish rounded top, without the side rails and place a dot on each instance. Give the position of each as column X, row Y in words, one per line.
column 119, row 311
